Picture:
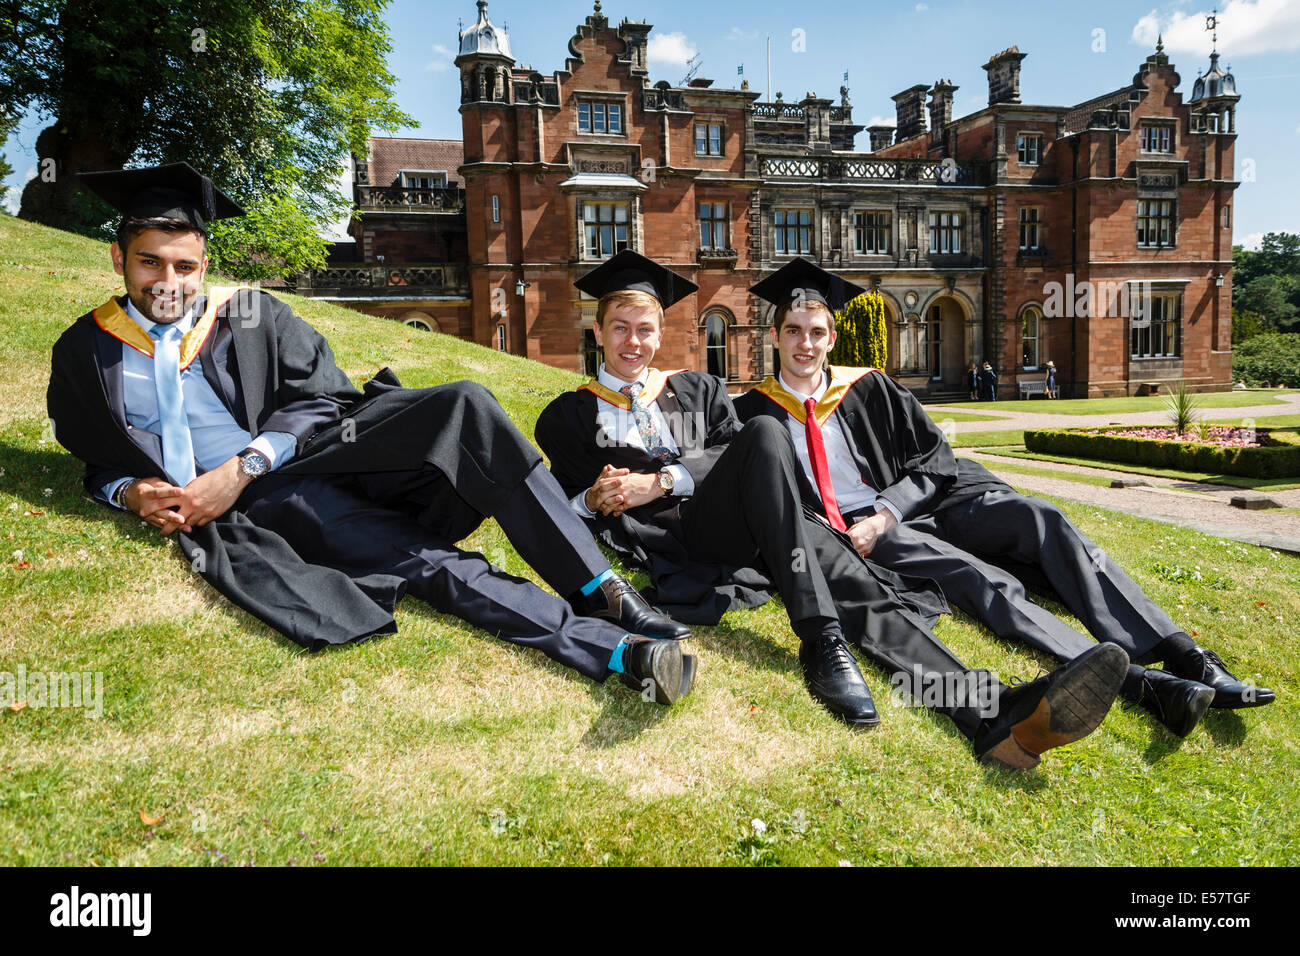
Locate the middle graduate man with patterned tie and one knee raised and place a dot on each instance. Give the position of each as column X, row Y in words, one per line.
column 658, row 465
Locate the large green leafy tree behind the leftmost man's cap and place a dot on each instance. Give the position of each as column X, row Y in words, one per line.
column 267, row 97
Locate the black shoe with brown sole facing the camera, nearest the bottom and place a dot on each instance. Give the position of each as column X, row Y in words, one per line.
column 1056, row 710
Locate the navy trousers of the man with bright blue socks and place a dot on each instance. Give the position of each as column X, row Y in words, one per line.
column 401, row 524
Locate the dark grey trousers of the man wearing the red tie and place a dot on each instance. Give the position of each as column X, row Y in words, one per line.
column 959, row 546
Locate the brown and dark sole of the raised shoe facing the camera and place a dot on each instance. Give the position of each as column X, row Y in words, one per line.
column 1077, row 702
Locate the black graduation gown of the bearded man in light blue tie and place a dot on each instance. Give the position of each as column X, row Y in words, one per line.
column 276, row 373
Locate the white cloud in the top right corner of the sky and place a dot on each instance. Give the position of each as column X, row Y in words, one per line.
column 1245, row 27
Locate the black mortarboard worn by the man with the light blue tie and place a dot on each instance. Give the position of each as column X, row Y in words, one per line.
column 172, row 192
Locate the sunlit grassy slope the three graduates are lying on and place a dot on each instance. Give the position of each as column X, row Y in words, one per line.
column 445, row 746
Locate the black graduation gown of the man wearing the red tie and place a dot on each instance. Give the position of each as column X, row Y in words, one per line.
column 896, row 445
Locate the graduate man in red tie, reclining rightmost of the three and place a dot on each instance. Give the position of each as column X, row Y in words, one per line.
column 891, row 482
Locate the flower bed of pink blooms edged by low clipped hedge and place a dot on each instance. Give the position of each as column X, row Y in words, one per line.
column 1225, row 451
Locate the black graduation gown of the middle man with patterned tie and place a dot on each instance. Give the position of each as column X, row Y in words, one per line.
column 703, row 423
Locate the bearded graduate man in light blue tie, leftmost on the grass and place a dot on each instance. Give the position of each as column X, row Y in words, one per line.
column 309, row 504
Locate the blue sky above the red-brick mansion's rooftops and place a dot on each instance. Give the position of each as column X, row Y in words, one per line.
column 1076, row 51
